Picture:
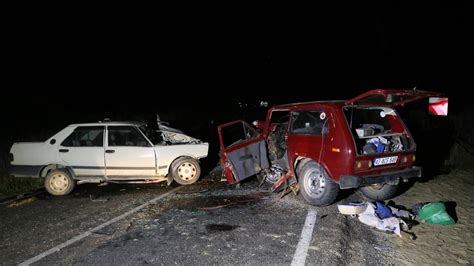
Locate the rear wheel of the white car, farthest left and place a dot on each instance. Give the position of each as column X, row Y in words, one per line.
column 59, row 182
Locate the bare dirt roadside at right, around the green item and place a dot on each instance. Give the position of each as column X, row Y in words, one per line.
column 440, row 244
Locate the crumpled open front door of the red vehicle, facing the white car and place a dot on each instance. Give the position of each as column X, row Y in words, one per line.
column 243, row 151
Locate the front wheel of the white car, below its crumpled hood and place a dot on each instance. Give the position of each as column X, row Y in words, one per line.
column 185, row 170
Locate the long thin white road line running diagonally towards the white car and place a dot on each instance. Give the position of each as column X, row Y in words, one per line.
column 95, row 229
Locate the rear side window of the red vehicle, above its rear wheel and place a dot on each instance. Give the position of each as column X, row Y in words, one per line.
column 309, row 122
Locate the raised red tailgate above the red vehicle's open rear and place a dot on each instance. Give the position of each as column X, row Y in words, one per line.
column 390, row 97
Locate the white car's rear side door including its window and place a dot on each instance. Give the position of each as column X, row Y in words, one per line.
column 83, row 150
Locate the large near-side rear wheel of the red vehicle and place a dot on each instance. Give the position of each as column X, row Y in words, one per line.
column 316, row 186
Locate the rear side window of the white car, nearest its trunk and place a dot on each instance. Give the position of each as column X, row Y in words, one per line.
column 85, row 137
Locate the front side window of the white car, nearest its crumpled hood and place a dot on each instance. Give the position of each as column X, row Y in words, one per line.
column 126, row 136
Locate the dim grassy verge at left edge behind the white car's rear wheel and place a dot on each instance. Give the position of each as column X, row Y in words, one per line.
column 10, row 186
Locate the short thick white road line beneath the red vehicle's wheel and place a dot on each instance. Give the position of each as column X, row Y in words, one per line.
column 306, row 235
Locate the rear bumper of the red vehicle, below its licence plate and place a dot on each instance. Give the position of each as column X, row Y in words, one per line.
column 391, row 177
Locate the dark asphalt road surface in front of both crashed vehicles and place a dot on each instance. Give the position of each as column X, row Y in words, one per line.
column 205, row 223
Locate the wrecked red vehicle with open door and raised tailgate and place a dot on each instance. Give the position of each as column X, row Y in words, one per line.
column 318, row 148
